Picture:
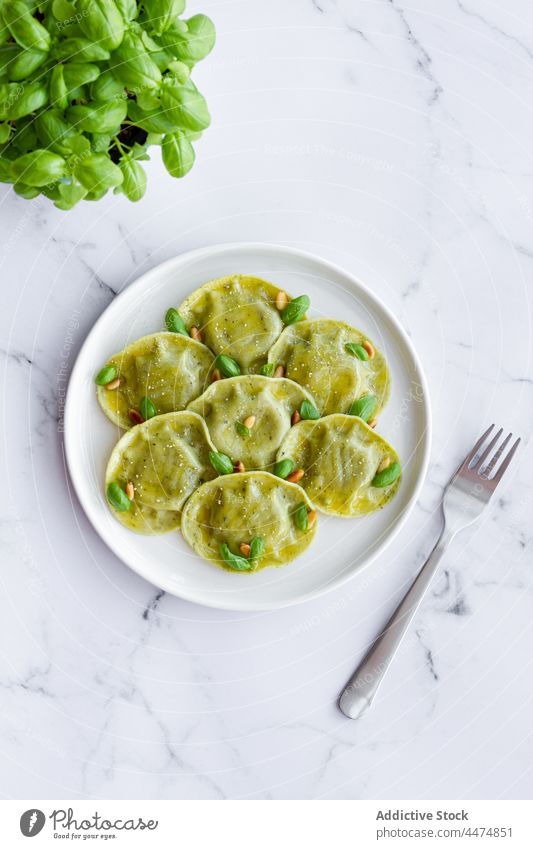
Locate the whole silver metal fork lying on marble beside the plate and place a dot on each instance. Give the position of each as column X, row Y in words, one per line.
column 465, row 498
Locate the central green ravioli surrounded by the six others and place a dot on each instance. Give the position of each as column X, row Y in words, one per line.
column 226, row 404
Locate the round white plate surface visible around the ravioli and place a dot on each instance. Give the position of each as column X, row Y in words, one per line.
column 341, row 547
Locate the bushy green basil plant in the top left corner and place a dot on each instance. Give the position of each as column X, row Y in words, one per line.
column 87, row 86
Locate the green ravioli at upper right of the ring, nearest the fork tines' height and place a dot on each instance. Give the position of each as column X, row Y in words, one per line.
column 314, row 354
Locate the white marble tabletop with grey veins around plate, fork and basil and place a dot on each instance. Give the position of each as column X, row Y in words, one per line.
column 396, row 139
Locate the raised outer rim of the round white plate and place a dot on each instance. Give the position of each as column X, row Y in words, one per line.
column 190, row 257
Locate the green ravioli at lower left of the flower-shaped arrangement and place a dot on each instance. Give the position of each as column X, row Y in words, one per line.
column 166, row 459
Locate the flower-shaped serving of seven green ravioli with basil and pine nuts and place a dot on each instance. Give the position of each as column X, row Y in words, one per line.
column 162, row 474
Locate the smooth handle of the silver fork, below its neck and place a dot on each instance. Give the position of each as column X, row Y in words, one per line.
column 362, row 687
